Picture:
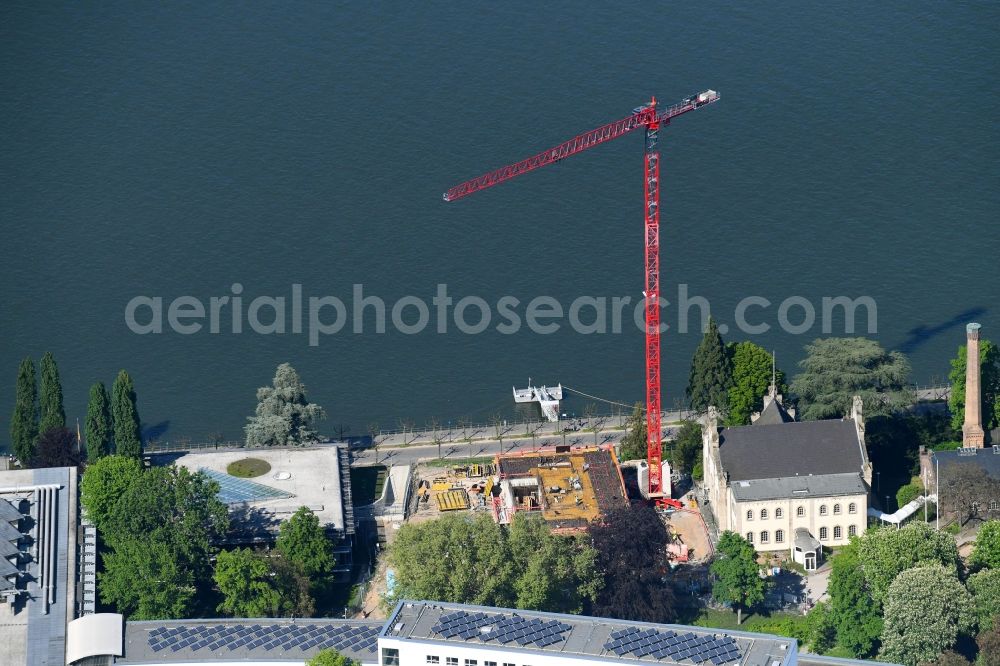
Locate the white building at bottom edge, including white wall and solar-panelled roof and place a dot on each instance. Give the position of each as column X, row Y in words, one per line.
column 477, row 634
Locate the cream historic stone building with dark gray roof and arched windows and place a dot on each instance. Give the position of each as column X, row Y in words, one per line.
column 787, row 485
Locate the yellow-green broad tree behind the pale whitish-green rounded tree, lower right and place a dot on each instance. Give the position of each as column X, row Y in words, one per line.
column 884, row 553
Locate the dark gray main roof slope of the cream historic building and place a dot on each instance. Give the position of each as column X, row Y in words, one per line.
column 790, row 449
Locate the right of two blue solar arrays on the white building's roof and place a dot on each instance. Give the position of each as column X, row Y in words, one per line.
column 675, row 646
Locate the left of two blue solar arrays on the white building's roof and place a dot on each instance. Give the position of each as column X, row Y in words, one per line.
column 502, row 629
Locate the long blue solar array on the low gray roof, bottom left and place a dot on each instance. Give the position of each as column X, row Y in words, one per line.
column 252, row 637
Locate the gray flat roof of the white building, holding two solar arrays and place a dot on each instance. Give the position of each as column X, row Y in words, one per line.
column 574, row 635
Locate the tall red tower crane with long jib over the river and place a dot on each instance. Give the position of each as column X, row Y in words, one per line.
column 651, row 119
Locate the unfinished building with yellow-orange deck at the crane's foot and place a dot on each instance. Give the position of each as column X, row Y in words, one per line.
column 569, row 489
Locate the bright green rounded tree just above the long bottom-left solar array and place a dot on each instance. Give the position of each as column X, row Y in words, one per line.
column 245, row 581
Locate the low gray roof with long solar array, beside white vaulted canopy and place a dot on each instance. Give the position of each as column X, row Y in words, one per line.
column 229, row 640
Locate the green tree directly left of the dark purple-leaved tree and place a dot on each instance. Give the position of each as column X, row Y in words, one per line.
column 559, row 572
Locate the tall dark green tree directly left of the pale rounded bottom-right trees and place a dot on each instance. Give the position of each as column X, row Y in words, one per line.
column 856, row 618
